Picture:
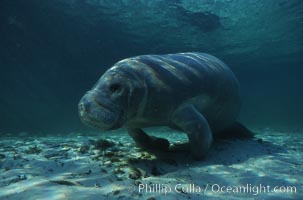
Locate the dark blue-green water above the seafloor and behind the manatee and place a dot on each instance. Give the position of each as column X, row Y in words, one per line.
column 52, row 51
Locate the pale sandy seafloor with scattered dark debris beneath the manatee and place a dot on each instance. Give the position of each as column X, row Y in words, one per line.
column 109, row 166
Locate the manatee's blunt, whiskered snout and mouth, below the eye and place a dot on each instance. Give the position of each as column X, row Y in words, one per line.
column 97, row 111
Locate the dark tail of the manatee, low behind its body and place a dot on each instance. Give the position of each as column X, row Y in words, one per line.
column 236, row 130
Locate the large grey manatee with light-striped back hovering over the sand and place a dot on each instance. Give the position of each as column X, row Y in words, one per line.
column 192, row 92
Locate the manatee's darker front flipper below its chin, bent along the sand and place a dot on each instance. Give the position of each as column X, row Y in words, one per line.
column 147, row 142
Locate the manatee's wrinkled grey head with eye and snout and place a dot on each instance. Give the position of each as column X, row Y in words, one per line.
column 105, row 105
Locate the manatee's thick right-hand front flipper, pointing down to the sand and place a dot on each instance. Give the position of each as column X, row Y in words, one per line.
column 194, row 124
